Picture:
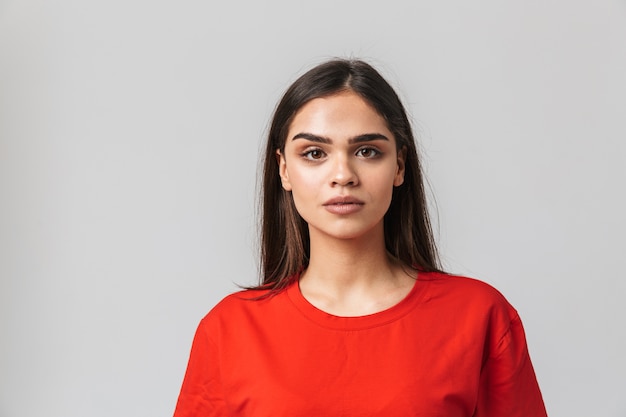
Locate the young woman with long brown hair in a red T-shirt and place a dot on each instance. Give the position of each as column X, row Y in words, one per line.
column 354, row 316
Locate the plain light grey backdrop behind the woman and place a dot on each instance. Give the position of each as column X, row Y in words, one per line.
column 129, row 140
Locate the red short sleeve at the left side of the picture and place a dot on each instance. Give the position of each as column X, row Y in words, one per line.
column 201, row 394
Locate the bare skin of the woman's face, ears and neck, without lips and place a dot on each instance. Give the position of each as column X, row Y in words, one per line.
column 340, row 147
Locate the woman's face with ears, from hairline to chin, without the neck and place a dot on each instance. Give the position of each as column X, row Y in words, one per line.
column 341, row 163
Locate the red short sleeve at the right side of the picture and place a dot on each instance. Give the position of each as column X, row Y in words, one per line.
column 508, row 385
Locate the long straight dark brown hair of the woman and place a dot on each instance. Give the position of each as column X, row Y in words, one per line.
column 285, row 245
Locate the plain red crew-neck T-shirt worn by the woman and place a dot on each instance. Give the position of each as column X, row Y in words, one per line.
column 453, row 347
